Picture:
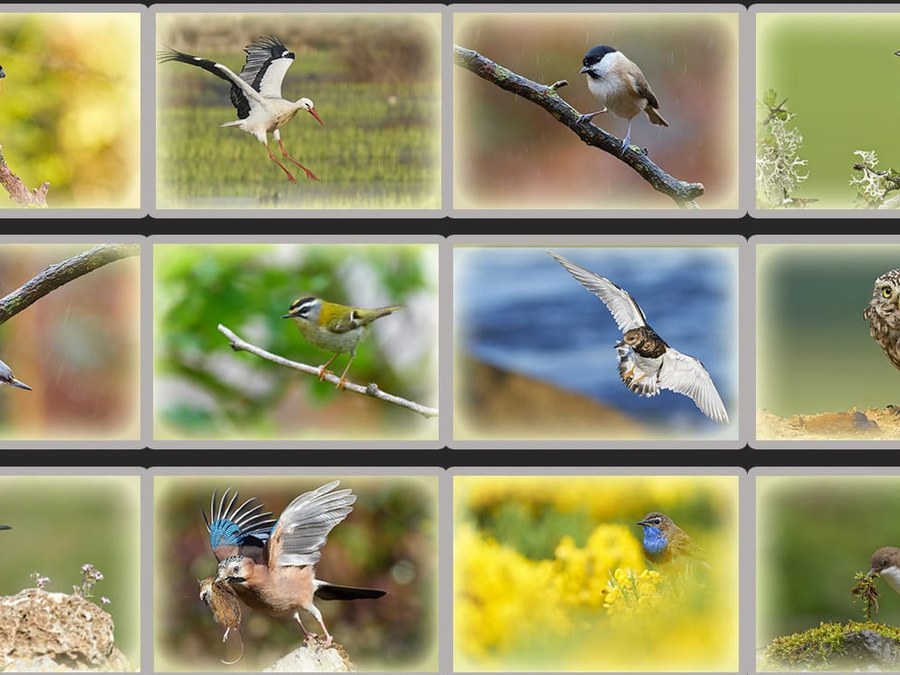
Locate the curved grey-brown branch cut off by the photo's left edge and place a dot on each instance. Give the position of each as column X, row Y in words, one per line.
column 62, row 273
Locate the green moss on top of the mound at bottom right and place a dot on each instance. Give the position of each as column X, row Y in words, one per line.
column 819, row 648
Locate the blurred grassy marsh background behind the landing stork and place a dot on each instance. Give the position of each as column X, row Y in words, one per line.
column 373, row 79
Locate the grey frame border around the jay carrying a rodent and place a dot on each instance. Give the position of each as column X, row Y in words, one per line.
column 444, row 541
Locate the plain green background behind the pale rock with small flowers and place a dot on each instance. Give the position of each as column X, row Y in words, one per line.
column 62, row 522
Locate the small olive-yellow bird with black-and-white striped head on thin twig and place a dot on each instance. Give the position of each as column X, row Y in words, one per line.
column 334, row 328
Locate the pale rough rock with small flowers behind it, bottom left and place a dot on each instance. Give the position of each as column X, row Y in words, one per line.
column 56, row 631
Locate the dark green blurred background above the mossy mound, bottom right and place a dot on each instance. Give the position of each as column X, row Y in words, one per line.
column 813, row 534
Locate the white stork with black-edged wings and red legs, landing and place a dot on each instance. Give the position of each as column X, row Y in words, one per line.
column 256, row 92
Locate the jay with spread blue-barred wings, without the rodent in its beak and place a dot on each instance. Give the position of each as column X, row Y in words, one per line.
column 279, row 577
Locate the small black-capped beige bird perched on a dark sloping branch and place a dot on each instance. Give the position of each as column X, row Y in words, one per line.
column 620, row 86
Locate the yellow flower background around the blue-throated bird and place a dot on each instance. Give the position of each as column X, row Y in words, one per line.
column 549, row 574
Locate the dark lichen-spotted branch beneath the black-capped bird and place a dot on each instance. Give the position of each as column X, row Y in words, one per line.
column 681, row 192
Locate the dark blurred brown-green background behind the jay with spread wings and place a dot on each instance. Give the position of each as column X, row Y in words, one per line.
column 389, row 541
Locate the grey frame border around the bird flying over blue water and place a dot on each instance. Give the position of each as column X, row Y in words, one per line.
column 746, row 320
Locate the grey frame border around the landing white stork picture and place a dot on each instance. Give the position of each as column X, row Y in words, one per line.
column 149, row 109
